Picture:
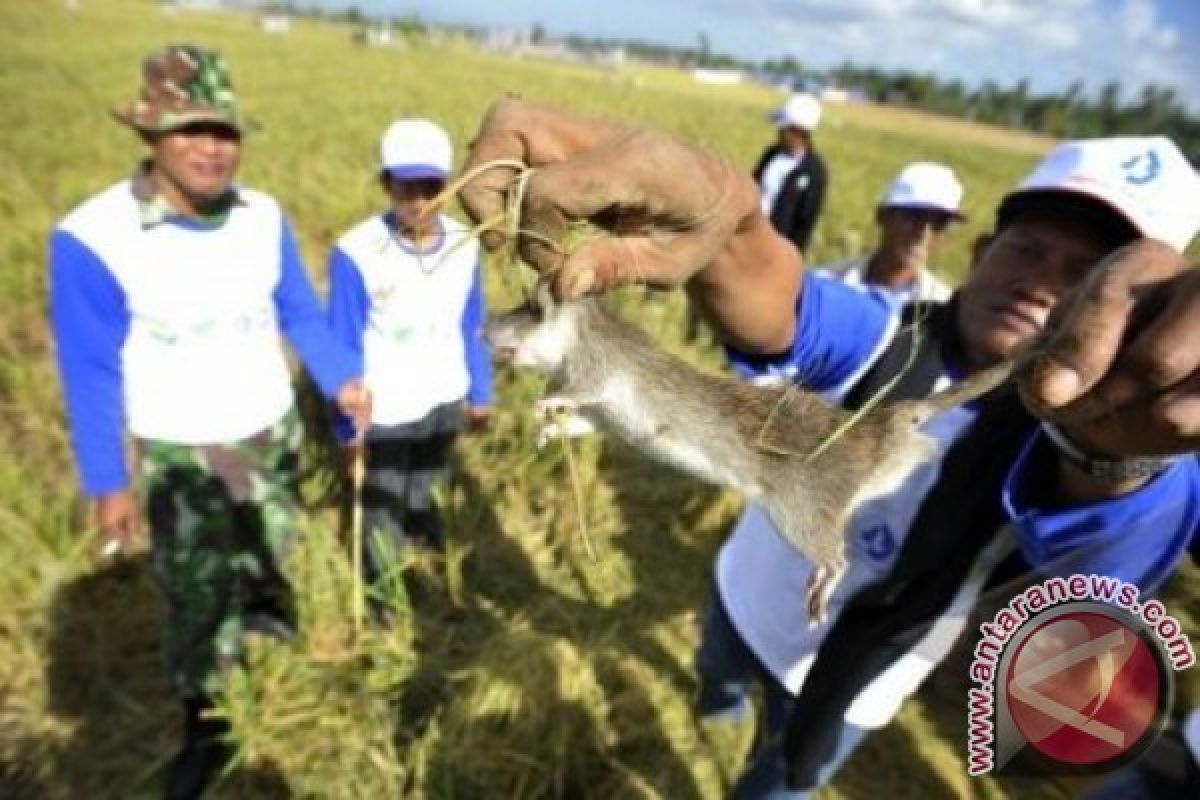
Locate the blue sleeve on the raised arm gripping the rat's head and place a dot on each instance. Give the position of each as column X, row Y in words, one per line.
column 838, row 329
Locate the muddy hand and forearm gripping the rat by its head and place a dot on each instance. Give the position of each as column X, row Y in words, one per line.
column 655, row 212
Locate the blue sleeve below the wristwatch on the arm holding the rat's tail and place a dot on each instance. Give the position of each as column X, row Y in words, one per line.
column 1138, row 538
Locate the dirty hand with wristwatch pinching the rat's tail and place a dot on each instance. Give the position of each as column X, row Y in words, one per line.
column 1119, row 364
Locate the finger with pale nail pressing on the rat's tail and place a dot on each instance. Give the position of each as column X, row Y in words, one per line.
column 1083, row 342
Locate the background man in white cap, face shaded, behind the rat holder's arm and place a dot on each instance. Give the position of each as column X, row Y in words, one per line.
column 914, row 218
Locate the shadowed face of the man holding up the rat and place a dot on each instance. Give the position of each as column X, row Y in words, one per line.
column 1019, row 276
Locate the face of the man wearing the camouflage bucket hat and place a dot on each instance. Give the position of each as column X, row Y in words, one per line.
column 197, row 161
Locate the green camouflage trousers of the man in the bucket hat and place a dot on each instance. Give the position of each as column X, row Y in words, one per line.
column 221, row 519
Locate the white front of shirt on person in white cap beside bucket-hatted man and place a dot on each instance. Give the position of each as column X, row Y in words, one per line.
column 413, row 346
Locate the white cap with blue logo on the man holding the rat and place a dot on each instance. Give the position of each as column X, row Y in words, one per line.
column 1144, row 179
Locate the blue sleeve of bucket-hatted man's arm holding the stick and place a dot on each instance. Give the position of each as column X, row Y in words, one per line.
column 331, row 363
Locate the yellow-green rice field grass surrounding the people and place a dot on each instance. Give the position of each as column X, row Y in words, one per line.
column 519, row 669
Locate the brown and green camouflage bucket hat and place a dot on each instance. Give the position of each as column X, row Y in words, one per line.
column 181, row 86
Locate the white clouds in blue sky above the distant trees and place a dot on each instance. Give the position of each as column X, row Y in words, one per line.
column 1052, row 44
